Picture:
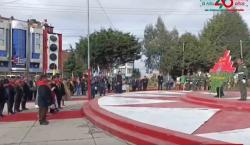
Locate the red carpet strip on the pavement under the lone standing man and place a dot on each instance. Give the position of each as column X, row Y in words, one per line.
column 33, row 116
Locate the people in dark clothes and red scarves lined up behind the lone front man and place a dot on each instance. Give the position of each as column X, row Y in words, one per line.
column 16, row 91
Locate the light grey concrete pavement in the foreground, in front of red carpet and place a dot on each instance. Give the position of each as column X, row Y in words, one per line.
column 58, row 132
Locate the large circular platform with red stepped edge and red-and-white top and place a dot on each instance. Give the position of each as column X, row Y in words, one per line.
column 161, row 117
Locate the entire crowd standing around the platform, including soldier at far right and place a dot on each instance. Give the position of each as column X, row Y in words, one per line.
column 50, row 93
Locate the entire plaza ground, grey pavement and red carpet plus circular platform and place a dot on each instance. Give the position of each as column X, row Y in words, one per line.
column 137, row 117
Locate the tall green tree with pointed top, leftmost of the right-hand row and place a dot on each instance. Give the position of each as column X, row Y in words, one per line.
column 159, row 45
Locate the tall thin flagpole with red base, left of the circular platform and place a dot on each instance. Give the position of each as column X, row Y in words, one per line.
column 89, row 68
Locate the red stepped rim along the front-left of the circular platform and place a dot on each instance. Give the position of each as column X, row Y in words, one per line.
column 139, row 133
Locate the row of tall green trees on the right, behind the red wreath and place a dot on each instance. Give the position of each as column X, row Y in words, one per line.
column 164, row 48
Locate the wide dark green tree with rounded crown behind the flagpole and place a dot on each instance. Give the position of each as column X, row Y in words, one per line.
column 109, row 48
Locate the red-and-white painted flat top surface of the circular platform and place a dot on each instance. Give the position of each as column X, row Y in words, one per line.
column 166, row 110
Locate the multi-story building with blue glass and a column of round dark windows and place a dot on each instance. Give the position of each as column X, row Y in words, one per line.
column 29, row 46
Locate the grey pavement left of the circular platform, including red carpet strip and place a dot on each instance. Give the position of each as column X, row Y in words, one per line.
column 68, row 127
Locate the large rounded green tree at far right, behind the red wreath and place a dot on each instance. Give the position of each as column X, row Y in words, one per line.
column 223, row 31
